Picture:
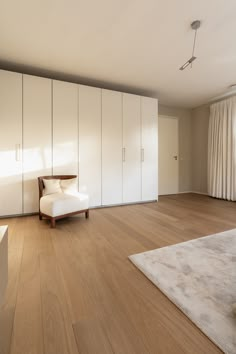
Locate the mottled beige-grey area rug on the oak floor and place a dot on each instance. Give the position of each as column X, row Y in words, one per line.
column 199, row 277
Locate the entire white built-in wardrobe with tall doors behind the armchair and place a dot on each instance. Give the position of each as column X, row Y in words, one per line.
column 107, row 138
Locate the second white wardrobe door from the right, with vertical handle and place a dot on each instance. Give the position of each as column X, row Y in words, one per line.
column 131, row 148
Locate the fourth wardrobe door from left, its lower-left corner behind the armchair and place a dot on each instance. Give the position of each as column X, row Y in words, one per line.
column 90, row 143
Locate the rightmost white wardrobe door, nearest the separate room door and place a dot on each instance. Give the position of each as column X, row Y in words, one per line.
column 149, row 148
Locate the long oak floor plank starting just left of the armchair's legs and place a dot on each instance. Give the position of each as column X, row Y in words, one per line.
column 27, row 335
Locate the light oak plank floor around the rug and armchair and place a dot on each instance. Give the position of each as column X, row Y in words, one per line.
column 73, row 290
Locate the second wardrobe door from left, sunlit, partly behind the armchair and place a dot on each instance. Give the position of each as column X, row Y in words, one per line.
column 37, row 136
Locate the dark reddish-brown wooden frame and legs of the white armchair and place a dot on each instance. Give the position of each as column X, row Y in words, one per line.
column 53, row 219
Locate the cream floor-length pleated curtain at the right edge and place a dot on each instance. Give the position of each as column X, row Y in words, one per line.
column 222, row 150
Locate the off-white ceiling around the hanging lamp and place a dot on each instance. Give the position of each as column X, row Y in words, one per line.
column 135, row 45
